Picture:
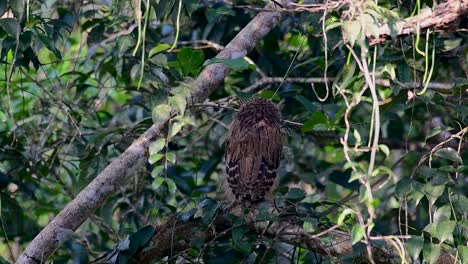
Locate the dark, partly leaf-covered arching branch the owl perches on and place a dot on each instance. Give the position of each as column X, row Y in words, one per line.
column 174, row 237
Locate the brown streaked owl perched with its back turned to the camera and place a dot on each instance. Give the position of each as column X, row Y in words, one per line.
column 253, row 151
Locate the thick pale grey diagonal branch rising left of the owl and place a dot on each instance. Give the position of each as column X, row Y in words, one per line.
column 104, row 185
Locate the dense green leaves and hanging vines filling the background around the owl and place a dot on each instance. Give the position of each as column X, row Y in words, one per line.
column 80, row 80
